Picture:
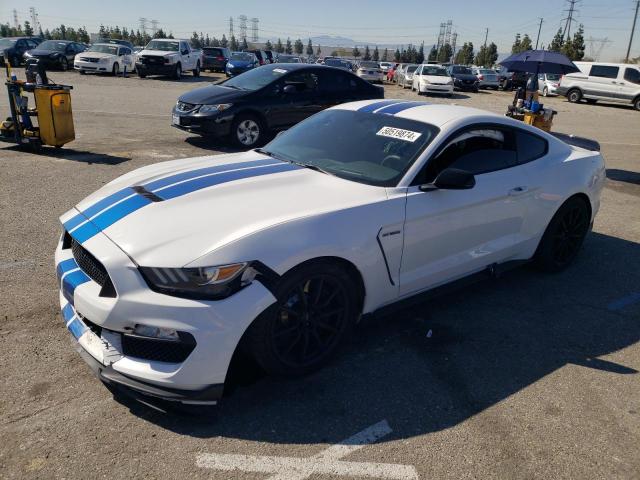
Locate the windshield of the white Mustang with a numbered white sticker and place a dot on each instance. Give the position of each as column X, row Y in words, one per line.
column 363, row 147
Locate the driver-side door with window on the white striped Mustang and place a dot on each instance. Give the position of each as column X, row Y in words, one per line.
column 449, row 234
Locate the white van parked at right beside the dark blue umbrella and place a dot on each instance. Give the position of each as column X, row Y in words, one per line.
column 613, row 82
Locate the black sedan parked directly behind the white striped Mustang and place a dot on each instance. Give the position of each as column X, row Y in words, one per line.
column 267, row 99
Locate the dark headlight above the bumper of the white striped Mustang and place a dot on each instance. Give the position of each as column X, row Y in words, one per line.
column 202, row 283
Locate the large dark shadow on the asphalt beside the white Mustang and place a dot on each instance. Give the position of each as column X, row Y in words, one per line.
column 487, row 342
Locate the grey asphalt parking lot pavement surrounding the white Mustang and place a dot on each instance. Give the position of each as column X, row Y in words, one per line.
column 527, row 376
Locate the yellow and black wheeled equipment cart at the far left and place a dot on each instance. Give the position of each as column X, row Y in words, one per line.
column 52, row 113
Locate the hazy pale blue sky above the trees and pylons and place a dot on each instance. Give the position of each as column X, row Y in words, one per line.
column 367, row 22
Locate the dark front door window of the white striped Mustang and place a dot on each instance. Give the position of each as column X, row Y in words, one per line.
column 477, row 151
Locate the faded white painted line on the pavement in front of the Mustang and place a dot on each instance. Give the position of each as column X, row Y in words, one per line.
column 326, row 462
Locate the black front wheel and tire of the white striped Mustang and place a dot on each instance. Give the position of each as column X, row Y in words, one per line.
column 315, row 309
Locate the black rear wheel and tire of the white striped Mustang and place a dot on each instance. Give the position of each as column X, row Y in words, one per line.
column 564, row 236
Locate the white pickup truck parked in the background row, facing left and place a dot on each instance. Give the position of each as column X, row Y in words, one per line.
column 170, row 57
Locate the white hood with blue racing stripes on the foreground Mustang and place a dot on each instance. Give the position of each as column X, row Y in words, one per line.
column 217, row 200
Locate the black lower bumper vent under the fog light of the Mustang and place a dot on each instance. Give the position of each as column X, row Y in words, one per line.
column 159, row 350
